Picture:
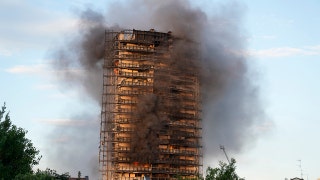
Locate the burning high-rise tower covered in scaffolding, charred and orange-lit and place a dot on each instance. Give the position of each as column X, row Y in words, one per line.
column 150, row 119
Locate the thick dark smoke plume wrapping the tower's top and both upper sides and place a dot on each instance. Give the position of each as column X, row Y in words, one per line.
column 230, row 101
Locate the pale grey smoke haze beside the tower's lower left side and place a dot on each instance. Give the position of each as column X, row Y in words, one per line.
column 72, row 146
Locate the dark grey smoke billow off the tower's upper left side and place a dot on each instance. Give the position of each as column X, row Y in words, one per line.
column 79, row 63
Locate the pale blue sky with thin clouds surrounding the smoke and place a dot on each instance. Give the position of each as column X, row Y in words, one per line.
column 283, row 47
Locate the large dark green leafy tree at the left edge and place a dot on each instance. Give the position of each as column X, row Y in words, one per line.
column 17, row 153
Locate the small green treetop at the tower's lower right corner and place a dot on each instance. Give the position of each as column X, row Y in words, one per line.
column 224, row 172
